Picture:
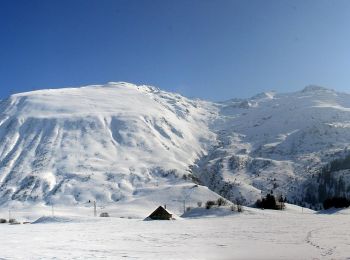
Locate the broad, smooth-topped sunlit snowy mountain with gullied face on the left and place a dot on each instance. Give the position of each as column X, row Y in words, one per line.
column 106, row 143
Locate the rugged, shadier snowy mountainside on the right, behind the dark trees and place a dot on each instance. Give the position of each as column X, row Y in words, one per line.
column 276, row 142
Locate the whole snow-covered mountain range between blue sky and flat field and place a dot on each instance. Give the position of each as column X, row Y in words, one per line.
column 119, row 141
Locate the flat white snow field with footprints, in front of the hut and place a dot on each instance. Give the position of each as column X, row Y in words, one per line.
column 254, row 234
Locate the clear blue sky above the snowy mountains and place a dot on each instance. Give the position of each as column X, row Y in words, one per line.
column 213, row 49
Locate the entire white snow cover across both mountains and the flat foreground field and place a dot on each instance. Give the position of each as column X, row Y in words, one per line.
column 132, row 148
